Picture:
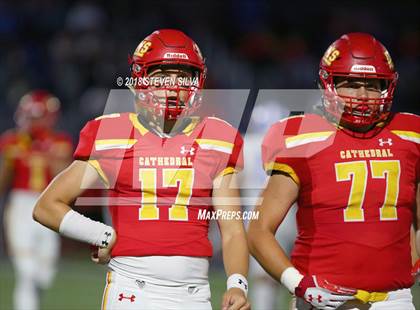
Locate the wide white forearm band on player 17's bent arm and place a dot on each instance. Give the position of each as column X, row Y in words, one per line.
column 77, row 226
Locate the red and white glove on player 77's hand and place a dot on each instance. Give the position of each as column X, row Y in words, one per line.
column 322, row 294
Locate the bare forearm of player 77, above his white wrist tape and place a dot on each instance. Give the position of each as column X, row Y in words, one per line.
column 266, row 250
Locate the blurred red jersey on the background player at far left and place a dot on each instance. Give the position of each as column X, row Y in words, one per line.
column 31, row 155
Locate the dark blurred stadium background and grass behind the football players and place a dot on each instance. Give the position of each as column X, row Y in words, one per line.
column 77, row 49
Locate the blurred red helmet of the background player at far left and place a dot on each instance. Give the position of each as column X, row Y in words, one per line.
column 37, row 109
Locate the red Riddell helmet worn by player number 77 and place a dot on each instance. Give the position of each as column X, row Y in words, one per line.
column 357, row 56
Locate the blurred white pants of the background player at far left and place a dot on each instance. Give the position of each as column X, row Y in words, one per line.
column 33, row 250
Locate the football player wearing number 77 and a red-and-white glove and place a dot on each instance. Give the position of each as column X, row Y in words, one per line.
column 354, row 173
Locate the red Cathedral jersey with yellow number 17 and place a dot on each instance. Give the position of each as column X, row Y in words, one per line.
column 158, row 185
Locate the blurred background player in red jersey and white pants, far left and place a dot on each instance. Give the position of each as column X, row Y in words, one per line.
column 31, row 154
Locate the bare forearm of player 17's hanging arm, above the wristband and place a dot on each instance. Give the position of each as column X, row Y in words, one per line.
column 235, row 253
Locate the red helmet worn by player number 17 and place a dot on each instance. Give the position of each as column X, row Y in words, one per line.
column 163, row 49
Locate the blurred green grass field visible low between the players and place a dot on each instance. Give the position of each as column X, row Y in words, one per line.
column 79, row 285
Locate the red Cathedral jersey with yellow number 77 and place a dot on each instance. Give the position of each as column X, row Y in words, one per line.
column 355, row 198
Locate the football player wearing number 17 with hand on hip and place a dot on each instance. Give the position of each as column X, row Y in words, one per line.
column 162, row 167
